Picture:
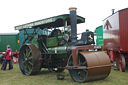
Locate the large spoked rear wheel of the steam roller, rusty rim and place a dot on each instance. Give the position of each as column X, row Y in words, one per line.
column 29, row 59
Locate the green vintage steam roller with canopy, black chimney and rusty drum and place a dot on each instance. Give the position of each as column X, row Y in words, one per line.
column 53, row 45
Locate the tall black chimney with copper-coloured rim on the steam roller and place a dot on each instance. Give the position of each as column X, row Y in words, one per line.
column 73, row 21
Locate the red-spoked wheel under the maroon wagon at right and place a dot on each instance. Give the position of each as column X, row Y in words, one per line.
column 122, row 63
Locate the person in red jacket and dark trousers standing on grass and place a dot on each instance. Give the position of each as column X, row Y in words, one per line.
column 8, row 57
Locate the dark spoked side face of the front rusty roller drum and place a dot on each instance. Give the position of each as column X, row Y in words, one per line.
column 78, row 75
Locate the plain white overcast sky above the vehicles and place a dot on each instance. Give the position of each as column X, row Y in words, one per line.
column 18, row 12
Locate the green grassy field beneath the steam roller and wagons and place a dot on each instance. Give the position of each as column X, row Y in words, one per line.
column 15, row 77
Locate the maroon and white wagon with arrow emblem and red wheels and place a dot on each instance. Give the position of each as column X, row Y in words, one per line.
column 115, row 33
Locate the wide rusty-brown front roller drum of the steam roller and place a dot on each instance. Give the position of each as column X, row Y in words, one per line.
column 98, row 66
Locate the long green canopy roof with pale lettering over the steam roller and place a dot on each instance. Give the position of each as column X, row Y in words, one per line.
column 52, row 22
